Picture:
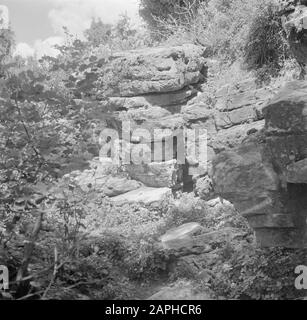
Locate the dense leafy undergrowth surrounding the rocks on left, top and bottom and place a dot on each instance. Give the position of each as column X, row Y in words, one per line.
column 60, row 242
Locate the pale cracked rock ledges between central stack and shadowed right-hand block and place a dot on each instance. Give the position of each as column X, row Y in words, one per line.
column 236, row 114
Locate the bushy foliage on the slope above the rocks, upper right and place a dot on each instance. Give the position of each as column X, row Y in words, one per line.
column 230, row 30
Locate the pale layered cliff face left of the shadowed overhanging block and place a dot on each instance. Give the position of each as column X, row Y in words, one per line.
column 157, row 91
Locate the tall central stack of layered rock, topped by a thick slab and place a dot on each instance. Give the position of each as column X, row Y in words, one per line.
column 147, row 89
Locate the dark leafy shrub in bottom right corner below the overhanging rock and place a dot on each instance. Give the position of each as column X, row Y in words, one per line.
column 258, row 274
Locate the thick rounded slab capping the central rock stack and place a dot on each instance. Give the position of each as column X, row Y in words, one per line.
column 154, row 70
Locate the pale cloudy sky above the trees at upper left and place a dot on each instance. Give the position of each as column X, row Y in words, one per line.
column 38, row 24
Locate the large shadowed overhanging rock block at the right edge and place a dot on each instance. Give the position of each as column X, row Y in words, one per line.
column 265, row 176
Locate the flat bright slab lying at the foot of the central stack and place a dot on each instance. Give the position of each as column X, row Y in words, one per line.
column 146, row 196
